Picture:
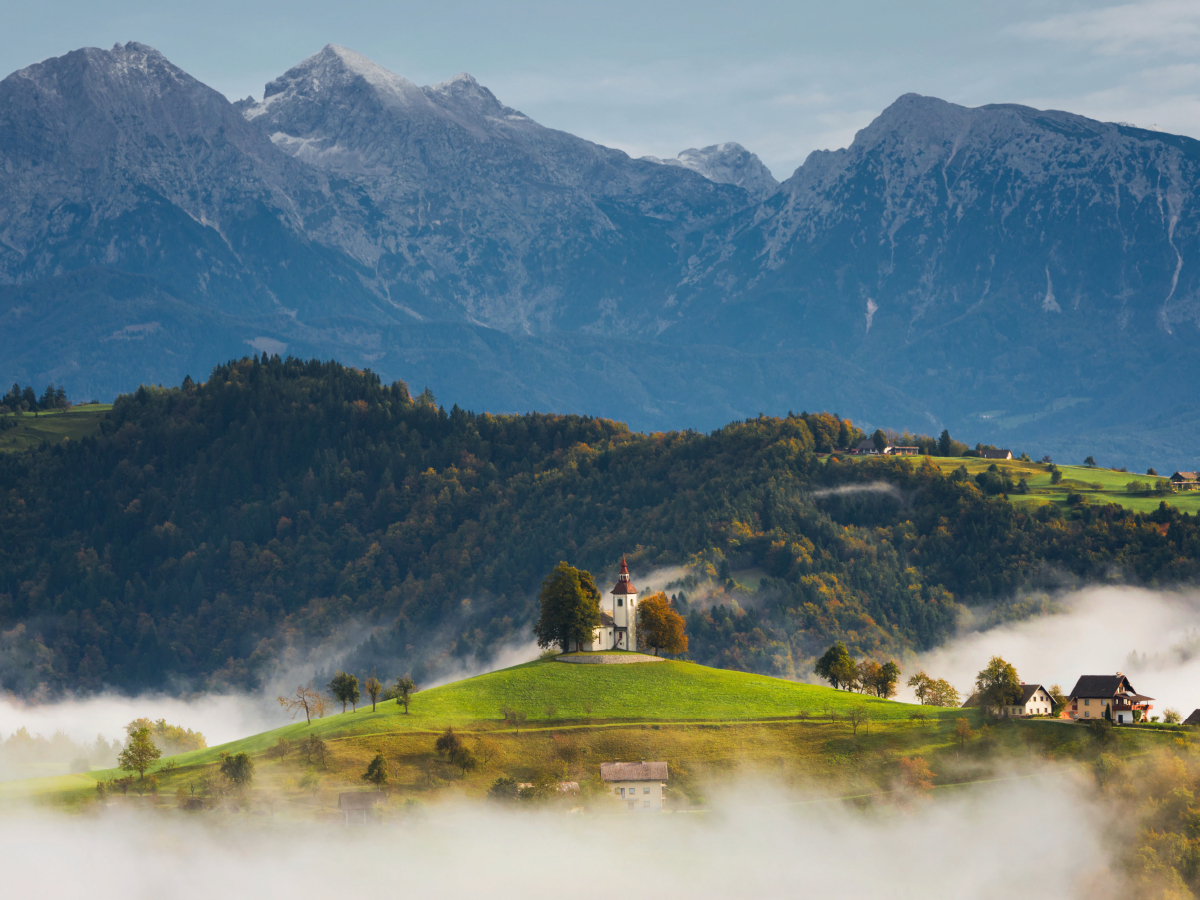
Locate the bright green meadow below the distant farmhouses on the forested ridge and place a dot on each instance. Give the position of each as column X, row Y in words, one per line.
column 1096, row 485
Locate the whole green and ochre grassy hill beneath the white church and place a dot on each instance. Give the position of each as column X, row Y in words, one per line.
column 710, row 725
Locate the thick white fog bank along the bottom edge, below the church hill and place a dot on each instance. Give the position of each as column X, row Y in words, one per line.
column 1022, row 839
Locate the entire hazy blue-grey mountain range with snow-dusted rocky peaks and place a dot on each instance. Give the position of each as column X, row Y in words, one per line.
column 1011, row 274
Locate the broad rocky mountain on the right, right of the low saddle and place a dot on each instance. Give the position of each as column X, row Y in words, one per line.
column 1027, row 274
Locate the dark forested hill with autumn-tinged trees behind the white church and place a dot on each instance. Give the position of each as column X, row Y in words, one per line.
column 212, row 527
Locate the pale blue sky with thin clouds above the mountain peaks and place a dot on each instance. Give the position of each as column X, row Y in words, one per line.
column 782, row 79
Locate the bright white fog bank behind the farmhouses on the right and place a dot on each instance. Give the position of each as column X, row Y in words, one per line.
column 1150, row 637
